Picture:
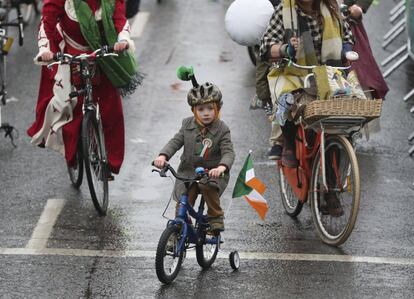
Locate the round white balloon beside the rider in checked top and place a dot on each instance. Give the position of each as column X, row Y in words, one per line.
column 246, row 20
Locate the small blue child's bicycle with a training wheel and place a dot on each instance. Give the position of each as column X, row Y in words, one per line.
column 181, row 235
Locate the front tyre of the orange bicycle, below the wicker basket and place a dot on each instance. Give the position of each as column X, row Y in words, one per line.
column 343, row 235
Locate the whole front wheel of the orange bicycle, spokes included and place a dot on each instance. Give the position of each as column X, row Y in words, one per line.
column 334, row 211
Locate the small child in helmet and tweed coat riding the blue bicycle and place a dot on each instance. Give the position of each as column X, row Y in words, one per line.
column 207, row 143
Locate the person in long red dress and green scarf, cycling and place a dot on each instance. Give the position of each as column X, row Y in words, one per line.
column 75, row 27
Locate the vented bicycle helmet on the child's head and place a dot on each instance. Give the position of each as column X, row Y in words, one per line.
column 204, row 94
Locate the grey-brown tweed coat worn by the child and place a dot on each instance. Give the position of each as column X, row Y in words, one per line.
column 220, row 153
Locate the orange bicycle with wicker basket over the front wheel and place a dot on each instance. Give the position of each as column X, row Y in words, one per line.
column 328, row 172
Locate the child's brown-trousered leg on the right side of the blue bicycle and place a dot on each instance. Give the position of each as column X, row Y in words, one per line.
column 214, row 212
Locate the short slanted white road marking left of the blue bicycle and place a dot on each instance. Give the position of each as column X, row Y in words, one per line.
column 45, row 224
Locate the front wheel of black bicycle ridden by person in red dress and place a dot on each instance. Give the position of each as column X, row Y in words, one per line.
column 96, row 170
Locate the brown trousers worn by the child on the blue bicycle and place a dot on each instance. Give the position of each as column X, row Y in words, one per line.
column 211, row 198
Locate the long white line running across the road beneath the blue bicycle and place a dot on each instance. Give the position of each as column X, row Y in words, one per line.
column 222, row 255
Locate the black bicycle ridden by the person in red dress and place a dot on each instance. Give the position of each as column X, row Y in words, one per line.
column 91, row 152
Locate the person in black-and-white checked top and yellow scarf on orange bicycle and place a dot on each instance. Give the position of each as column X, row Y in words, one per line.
column 310, row 32
